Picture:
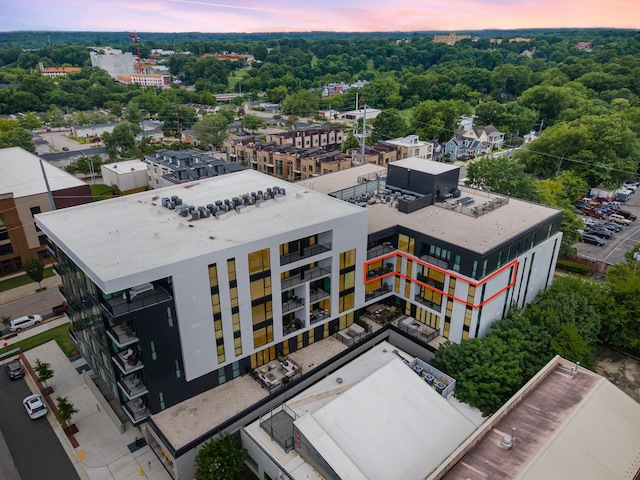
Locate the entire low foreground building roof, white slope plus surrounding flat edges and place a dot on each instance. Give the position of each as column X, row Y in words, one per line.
column 374, row 418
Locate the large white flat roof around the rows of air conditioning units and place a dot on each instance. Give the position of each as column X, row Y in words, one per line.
column 136, row 233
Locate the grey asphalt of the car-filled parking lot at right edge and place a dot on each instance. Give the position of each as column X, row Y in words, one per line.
column 614, row 249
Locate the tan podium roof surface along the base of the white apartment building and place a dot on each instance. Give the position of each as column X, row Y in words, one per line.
column 198, row 415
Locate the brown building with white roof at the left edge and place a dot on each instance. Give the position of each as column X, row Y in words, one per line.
column 23, row 194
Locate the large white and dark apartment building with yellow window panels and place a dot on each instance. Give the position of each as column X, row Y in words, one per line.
column 199, row 283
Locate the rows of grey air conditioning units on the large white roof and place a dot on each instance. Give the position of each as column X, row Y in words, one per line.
column 220, row 208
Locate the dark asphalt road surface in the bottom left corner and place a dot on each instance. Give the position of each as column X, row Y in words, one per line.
column 33, row 445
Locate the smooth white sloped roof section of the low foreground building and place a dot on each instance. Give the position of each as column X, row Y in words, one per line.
column 390, row 425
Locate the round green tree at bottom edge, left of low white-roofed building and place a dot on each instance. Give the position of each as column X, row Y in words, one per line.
column 220, row 458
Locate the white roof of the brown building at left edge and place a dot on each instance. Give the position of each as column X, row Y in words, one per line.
column 22, row 174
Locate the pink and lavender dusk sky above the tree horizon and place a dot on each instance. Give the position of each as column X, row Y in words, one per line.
column 300, row 15
